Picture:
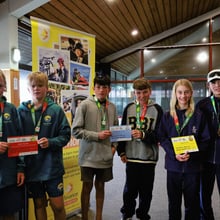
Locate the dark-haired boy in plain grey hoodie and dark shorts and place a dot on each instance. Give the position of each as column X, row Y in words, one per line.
column 91, row 124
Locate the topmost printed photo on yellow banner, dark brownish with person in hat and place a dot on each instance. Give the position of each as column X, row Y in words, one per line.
column 77, row 47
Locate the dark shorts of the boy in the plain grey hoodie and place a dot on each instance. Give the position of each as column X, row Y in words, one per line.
column 102, row 175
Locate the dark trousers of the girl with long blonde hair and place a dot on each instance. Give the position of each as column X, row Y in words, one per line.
column 188, row 186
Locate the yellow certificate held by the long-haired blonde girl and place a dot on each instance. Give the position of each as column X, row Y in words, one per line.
column 184, row 144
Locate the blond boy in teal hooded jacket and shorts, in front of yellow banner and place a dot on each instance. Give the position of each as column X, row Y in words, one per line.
column 44, row 171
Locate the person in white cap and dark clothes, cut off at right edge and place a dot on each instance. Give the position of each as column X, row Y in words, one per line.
column 211, row 167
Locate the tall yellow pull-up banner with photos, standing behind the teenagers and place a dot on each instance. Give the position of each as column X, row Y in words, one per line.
column 67, row 56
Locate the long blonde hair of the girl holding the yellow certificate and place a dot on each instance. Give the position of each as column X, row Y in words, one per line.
column 173, row 100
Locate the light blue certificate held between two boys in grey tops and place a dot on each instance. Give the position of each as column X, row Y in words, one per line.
column 120, row 133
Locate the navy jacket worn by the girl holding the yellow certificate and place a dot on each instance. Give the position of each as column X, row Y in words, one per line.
column 196, row 126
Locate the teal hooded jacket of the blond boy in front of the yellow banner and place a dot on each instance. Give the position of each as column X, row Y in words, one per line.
column 48, row 163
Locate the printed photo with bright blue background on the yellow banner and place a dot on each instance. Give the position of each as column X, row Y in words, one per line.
column 80, row 76
